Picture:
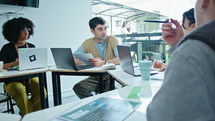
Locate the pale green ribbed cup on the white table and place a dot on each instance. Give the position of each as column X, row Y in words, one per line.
column 145, row 69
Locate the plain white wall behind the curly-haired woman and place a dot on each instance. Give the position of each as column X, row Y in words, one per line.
column 59, row 23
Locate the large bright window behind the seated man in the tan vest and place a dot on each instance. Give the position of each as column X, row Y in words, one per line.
column 115, row 12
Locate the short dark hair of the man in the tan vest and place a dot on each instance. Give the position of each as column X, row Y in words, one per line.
column 95, row 21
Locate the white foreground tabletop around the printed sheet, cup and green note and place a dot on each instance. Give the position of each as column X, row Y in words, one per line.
column 148, row 90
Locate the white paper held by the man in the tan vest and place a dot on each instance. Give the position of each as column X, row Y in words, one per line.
column 84, row 58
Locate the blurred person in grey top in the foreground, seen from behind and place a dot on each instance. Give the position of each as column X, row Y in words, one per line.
column 187, row 92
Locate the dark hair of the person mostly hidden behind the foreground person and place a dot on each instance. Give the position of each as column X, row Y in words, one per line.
column 190, row 16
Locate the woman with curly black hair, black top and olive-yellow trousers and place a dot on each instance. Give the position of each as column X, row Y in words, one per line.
column 17, row 31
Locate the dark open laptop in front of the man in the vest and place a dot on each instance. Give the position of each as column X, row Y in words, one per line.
column 64, row 59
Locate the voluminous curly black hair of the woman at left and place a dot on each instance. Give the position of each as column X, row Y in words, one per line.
column 12, row 28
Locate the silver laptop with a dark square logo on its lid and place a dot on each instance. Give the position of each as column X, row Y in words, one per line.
column 31, row 58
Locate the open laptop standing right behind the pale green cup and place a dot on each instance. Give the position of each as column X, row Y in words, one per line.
column 126, row 60
